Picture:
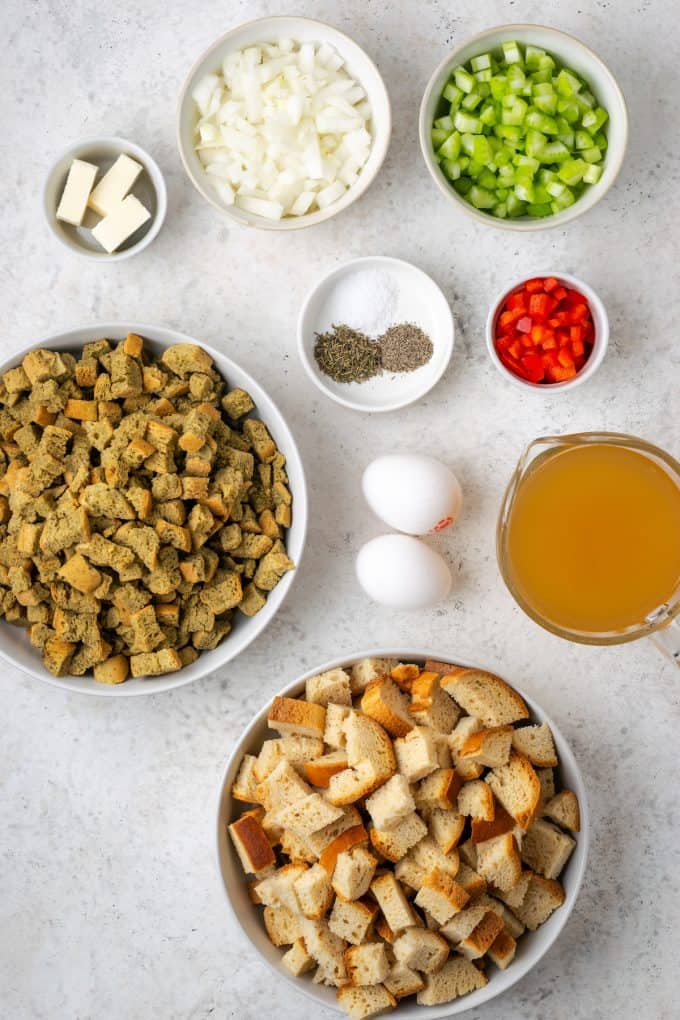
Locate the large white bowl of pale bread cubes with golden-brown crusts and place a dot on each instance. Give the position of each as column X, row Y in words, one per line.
column 399, row 833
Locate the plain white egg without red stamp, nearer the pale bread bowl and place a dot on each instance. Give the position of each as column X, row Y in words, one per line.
column 402, row 573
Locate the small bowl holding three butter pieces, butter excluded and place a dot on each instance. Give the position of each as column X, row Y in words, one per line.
column 149, row 188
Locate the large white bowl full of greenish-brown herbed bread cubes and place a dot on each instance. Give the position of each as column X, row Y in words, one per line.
column 153, row 509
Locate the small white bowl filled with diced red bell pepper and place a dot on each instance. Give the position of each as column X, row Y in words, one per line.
column 549, row 333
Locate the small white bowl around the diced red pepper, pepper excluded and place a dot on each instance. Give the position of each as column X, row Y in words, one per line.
column 602, row 327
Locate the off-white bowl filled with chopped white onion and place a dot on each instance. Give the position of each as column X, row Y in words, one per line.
column 284, row 123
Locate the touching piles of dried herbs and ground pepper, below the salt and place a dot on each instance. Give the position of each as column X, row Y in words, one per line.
column 348, row 355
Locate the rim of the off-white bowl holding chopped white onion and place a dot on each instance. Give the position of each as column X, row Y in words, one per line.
column 381, row 145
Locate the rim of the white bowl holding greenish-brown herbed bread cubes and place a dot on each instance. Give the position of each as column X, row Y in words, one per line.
column 169, row 682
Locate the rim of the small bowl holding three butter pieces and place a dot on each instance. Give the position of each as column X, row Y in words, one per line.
column 77, row 151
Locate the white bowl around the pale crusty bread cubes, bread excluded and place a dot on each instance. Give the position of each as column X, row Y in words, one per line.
column 532, row 947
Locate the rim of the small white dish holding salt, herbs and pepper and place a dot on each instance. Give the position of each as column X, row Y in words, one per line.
column 316, row 376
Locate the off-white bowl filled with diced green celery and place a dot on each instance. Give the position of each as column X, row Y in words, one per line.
column 524, row 127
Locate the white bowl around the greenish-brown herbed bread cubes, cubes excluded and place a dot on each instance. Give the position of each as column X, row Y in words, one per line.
column 15, row 645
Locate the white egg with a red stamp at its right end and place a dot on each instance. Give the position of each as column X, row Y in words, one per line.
column 412, row 493
